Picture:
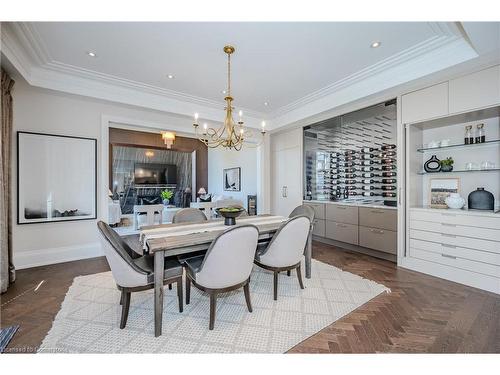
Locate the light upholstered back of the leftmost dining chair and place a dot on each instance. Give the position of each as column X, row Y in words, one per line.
column 120, row 258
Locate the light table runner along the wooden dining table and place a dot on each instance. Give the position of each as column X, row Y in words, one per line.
column 182, row 230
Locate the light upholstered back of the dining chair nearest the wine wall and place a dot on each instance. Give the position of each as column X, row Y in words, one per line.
column 287, row 246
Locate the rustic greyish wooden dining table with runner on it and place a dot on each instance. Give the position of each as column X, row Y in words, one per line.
column 167, row 240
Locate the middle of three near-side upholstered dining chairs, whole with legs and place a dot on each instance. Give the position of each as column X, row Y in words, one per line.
column 226, row 266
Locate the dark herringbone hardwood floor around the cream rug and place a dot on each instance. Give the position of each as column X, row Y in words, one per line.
column 422, row 314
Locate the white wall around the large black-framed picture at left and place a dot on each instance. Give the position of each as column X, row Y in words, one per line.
column 46, row 111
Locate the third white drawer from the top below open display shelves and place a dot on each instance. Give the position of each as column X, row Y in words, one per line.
column 457, row 251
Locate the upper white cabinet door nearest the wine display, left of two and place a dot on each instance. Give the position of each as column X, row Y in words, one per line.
column 425, row 104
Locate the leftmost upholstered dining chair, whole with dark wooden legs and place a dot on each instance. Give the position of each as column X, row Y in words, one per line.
column 133, row 272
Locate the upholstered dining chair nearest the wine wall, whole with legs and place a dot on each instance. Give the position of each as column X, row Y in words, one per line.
column 286, row 249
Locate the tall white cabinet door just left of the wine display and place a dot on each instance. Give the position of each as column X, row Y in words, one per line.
column 286, row 172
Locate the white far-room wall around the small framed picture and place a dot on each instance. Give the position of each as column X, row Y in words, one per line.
column 246, row 159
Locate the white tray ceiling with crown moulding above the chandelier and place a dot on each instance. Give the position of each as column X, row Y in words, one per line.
column 288, row 65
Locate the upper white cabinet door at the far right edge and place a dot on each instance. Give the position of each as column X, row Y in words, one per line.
column 474, row 91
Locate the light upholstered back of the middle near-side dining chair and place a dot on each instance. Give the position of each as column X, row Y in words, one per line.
column 229, row 259
